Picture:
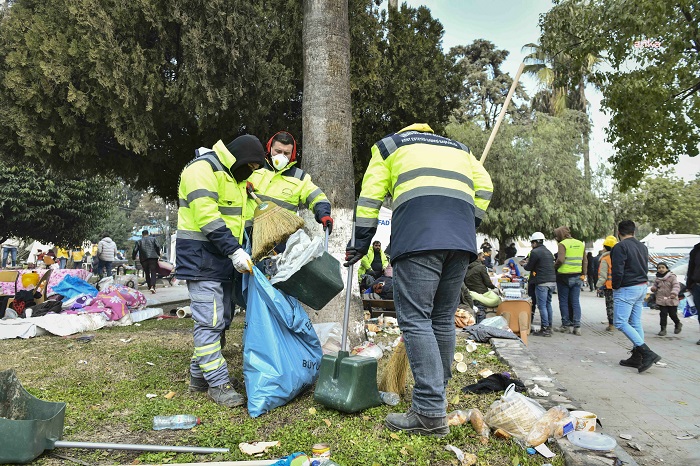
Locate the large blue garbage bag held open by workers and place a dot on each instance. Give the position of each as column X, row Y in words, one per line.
column 282, row 352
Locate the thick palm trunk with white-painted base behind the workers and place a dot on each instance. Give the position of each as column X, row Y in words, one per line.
column 327, row 128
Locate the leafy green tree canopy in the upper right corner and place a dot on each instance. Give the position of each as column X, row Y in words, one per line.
column 653, row 88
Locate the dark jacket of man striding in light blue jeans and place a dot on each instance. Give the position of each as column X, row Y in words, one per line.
column 630, row 263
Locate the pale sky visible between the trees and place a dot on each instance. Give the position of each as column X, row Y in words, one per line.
column 510, row 24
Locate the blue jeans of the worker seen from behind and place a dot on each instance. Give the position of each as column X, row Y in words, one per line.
column 426, row 293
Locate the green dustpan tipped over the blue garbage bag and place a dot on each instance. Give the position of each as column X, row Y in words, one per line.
column 316, row 283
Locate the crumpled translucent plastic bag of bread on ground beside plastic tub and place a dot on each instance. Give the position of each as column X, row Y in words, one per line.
column 514, row 413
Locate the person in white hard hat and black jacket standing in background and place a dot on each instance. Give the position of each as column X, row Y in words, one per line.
column 541, row 266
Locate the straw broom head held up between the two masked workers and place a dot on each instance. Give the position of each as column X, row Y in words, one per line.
column 272, row 225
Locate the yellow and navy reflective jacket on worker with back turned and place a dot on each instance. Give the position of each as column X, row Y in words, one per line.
column 440, row 193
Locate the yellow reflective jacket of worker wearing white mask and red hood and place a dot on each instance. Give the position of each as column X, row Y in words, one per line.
column 289, row 188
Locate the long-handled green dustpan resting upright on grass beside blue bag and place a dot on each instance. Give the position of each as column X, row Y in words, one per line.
column 347, row 383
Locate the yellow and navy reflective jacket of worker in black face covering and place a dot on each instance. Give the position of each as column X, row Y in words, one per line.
column 211, row 216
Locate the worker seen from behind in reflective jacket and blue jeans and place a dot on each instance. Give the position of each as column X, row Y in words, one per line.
column 439, row 199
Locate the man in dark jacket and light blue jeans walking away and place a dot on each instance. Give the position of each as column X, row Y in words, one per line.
column 630, row 260
